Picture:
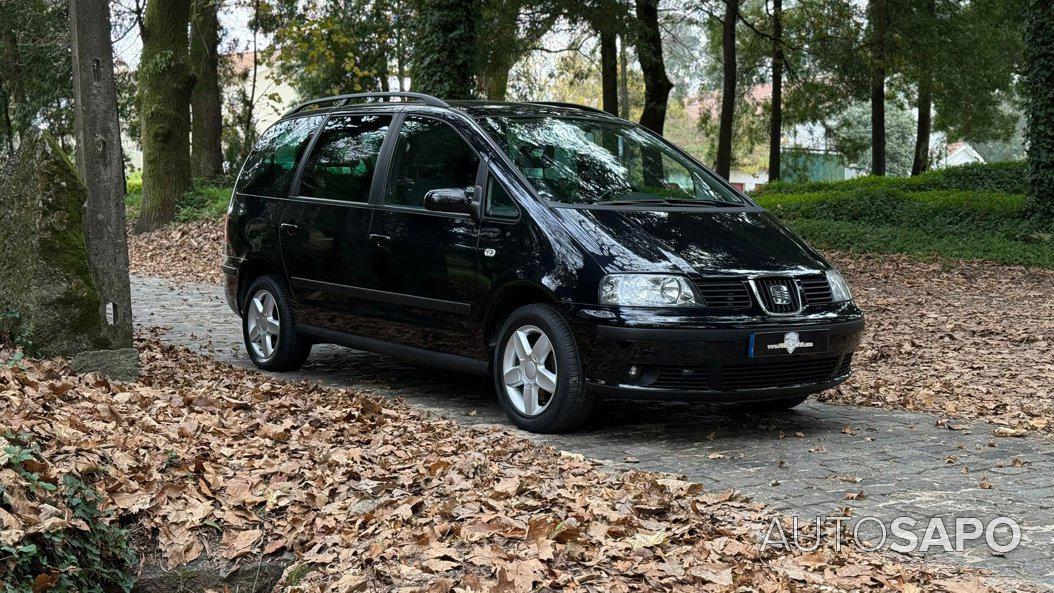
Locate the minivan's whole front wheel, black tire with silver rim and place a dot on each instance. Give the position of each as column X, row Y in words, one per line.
column 569, row 405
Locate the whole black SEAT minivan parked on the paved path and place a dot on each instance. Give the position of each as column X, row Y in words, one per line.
column 568, row 253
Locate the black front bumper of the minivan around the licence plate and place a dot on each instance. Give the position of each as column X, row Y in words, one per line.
column 709, row 359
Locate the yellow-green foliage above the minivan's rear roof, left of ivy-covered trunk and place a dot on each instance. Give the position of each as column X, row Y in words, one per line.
column 334, row 47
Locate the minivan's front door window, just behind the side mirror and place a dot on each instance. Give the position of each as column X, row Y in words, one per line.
column 428, row 156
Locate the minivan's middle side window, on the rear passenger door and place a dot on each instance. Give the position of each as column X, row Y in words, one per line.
column 342, row 166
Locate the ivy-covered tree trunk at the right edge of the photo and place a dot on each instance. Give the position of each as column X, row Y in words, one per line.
column 1040, row 90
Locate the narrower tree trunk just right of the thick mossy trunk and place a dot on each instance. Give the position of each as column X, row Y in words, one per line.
column 207, row 102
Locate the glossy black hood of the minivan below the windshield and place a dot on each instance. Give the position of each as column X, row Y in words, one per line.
column 696, row 241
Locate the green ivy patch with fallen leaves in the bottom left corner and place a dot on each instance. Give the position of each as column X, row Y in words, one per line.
column 77, row 550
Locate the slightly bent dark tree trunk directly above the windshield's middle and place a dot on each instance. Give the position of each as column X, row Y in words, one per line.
column 657, row 85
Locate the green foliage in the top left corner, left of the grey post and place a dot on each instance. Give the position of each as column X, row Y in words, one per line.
column 36, row 82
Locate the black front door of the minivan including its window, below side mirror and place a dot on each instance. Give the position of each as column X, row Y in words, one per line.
column 424, row 262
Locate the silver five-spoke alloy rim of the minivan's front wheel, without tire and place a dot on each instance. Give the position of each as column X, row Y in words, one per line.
column 530, row 370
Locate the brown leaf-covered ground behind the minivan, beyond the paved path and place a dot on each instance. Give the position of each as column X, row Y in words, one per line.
column 965, row 340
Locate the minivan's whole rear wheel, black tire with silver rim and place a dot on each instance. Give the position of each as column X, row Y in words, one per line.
column 281, row 352
